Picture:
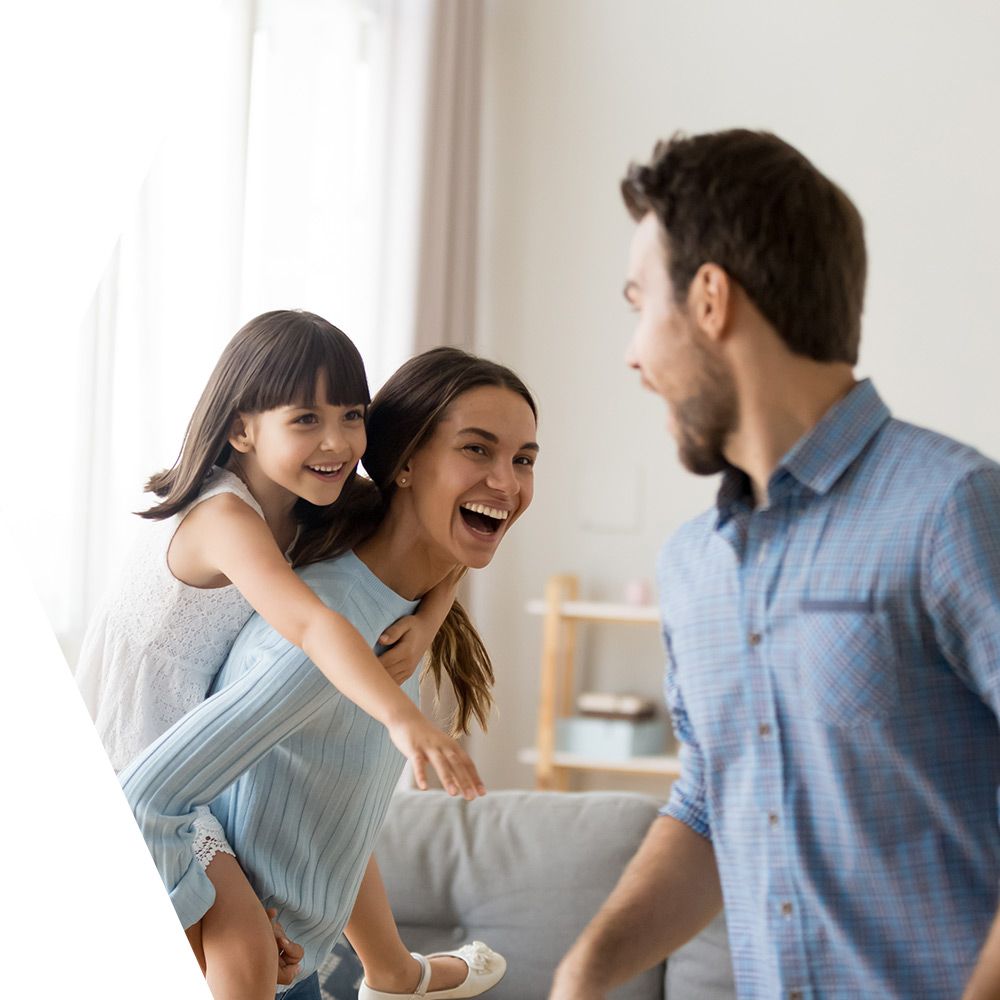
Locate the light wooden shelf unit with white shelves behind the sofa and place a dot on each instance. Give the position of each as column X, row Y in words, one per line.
column 562, row 611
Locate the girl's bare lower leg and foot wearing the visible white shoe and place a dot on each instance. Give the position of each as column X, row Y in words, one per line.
column 372, row 931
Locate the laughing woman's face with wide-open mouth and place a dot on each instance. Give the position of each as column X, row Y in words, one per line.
column 473, row 478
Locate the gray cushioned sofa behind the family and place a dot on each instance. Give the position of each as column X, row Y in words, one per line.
column 524, row 872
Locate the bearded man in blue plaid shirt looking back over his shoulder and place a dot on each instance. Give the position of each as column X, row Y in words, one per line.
column 832, row 625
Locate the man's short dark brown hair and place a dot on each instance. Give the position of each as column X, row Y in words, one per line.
column 755, row 206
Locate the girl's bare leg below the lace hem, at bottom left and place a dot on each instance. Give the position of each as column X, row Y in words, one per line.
column 240, row 954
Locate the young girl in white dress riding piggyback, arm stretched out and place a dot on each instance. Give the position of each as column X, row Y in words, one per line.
column 276, row 435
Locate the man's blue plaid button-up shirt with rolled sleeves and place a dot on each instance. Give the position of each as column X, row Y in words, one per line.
column 833, row 672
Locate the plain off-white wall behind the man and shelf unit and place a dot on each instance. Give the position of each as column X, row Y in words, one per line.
column 895, row 100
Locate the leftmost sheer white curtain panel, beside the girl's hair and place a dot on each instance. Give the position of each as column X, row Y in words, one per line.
column 166, row 303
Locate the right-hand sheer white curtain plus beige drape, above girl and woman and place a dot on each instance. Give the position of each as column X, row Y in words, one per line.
column 376, row 227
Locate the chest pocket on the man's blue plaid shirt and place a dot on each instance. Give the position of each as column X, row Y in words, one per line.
column 847, row 663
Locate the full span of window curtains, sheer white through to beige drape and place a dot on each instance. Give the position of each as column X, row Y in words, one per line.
column 302, row 167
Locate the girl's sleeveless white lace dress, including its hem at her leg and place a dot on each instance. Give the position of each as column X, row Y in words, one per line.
column 153, row 649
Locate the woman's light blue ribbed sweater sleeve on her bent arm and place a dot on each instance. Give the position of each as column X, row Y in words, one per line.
column 206, row 751
